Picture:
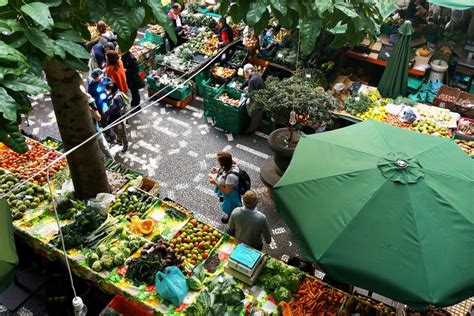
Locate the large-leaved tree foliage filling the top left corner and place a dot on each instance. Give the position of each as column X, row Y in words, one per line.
column 32, row 32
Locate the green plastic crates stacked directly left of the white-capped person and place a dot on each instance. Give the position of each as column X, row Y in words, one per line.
column 229, row 118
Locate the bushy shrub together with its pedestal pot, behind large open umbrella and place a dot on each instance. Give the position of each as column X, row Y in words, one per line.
column 297, row 102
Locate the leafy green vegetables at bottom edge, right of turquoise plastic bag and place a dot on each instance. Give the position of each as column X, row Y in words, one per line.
column 222, row 297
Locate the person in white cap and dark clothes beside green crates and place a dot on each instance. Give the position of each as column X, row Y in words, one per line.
column 253, row 83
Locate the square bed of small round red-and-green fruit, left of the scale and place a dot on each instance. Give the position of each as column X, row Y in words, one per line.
column 195, row 240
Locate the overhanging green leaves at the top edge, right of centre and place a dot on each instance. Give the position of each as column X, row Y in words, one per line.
column 311, row 18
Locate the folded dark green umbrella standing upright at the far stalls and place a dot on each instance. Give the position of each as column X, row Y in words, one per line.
column 394, row 80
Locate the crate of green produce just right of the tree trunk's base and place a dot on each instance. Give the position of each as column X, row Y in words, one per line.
column 132, row 202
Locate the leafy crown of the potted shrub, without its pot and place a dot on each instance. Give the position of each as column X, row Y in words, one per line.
column 297, row 93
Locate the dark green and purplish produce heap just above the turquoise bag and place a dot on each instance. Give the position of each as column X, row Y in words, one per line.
column 154, row 258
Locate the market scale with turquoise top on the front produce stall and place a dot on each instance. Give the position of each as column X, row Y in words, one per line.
column 245, row 264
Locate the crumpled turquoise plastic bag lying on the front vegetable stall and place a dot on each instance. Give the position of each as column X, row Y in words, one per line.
column 171, row 285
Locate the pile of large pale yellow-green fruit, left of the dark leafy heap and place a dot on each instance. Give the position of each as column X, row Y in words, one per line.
column 114, row 251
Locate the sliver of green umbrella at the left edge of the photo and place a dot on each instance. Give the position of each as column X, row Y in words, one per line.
column 8, row 256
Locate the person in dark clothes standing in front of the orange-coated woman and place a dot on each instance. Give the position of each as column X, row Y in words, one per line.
column 116, row 105
